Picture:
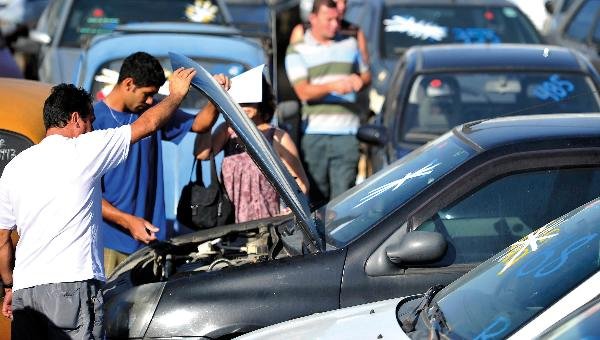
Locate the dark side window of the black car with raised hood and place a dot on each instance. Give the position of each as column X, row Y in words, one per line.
column 503, row 211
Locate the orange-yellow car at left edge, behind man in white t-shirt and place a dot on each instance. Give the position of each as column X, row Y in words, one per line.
column 21, row 126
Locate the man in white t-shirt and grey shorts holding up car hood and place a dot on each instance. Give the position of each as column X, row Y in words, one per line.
column 51, row 194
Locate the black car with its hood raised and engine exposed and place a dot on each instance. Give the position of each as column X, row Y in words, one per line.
column 426, row 219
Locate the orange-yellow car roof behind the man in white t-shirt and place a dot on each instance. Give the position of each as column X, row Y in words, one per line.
column 21, row 105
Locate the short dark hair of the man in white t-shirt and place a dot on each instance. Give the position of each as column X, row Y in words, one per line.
column 64, row 99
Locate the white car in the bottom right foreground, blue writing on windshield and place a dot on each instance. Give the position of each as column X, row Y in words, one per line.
column 520, row 293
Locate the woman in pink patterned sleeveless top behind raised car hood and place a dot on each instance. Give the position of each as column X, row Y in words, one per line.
column 252, row 195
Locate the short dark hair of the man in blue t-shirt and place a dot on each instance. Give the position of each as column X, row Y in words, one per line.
column 144, row 69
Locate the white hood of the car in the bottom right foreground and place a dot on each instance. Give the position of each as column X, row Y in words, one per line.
column 345, row 323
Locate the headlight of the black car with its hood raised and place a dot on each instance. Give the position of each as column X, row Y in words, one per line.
column 127, row 315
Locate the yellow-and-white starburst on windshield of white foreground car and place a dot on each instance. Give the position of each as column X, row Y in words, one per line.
column 518, row 250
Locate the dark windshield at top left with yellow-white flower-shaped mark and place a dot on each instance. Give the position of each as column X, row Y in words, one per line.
column 89, row 18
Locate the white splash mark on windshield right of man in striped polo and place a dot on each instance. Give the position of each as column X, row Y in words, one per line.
column 416, row 29
